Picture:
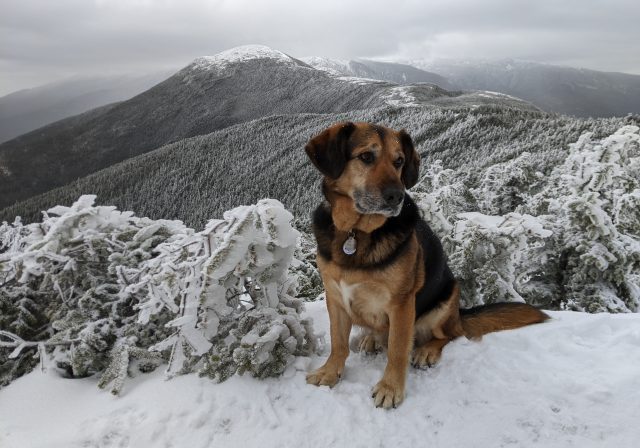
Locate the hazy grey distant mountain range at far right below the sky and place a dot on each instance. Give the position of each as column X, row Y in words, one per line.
column 579, row 92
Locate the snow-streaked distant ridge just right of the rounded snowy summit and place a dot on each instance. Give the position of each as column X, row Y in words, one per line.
column 384, row 71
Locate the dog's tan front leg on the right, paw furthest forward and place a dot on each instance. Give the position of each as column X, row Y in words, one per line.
column 389, row 392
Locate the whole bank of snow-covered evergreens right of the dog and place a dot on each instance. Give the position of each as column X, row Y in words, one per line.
column 567, row 239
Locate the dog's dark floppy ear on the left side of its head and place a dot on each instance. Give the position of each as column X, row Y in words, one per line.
column 329, row 150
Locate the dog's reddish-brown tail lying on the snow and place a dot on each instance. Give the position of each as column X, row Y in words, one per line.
column 485, row 319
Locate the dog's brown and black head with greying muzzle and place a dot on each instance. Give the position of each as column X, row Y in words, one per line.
column 371, row 164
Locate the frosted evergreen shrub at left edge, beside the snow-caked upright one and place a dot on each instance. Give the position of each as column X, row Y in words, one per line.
column 61, row 290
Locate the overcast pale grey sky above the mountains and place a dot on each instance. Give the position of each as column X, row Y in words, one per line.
column 47, row 40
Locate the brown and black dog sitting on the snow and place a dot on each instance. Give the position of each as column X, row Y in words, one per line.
column 382, row 267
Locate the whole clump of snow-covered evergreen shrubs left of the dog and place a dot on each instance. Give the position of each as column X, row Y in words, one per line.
column 94, row 289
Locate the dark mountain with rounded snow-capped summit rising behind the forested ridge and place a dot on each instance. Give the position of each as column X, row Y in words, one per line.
column 235, row 86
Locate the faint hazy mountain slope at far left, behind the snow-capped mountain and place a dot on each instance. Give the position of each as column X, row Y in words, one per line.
column 29, row 109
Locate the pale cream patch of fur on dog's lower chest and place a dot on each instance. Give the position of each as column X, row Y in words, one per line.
column 366, row 302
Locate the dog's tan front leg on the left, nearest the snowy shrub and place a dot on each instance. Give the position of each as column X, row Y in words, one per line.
column 340, row 328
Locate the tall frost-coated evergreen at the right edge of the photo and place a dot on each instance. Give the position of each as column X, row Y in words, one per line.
column 591, row 205
